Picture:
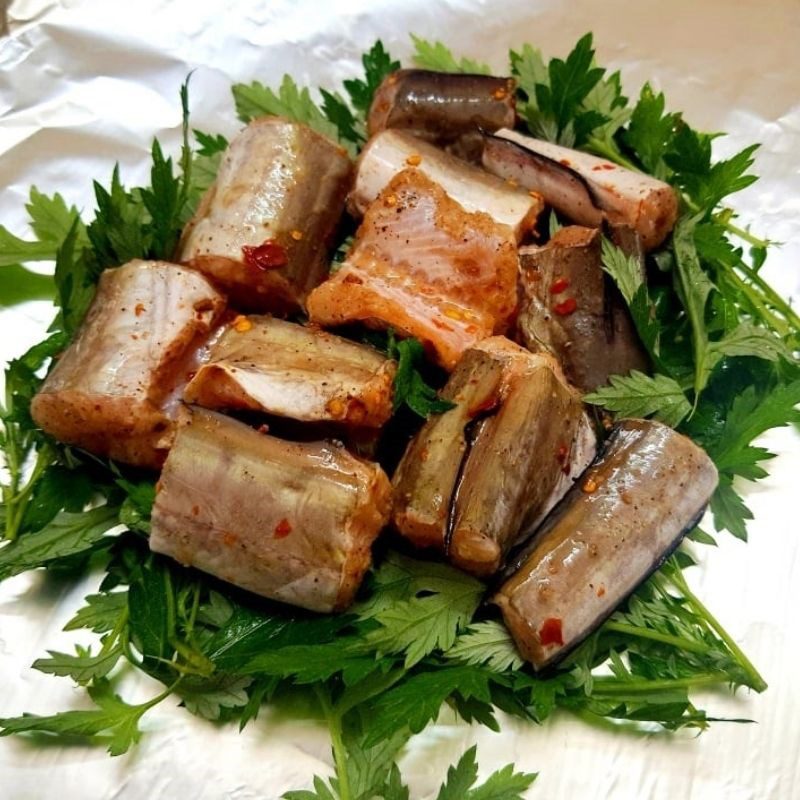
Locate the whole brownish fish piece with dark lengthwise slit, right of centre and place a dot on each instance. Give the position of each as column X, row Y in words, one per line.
column 478, row 475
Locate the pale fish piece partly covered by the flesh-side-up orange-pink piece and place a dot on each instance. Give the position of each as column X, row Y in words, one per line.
column 390, row 152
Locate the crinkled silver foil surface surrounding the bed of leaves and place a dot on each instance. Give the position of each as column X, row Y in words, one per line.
column 84, row 84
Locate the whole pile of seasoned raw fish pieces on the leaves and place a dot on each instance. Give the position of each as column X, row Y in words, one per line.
column 510, row 484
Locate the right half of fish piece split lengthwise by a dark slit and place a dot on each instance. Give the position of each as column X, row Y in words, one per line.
column 523, row 458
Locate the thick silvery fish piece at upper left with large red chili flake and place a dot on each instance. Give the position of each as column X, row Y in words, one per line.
column 264, row 229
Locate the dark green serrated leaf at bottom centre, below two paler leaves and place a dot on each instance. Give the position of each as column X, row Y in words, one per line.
column 417, row 700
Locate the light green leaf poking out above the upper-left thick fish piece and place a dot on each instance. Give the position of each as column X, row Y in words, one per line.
column 256, row 100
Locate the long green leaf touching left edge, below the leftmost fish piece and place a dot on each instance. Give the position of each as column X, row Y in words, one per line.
column 67, row 535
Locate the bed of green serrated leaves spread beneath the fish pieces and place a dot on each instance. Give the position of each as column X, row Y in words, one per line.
column 723, row 345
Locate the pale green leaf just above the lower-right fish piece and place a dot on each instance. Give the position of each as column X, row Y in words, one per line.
column 640, row 395
